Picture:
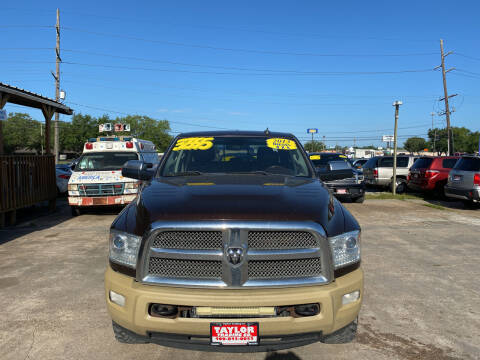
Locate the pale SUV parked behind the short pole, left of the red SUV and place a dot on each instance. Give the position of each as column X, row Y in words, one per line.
column 378, row 171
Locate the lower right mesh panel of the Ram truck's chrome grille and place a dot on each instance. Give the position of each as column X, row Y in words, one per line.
column 272, row 269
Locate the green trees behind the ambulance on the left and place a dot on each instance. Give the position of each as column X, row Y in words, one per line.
column 22, row 133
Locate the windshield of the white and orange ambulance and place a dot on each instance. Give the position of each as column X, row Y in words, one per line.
column 104, row 161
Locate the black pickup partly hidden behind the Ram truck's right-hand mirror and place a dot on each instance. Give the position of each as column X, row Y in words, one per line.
column 339, row 176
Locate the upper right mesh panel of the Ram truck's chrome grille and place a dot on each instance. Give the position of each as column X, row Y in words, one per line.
column 281, row 240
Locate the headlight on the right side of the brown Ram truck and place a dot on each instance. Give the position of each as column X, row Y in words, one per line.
column 345, row 248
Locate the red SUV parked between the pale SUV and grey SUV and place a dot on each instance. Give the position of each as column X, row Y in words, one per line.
column 430, row 173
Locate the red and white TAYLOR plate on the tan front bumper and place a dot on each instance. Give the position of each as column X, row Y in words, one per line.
column 234, row 333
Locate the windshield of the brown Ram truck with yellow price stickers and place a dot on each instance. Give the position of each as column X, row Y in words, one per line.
column 235, row 155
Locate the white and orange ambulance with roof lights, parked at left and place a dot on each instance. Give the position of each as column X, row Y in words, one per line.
column 97, row 178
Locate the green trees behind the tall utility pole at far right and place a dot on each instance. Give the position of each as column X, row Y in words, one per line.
column 464, row 140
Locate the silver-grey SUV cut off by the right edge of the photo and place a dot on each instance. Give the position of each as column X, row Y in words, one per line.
column 464, row 180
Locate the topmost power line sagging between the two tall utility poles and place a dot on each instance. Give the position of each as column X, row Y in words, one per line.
column 209, row 47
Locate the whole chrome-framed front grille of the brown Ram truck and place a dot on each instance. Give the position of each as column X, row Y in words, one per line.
column 236, row 254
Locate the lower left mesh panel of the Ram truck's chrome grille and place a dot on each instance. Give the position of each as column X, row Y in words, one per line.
column 185, row 269
